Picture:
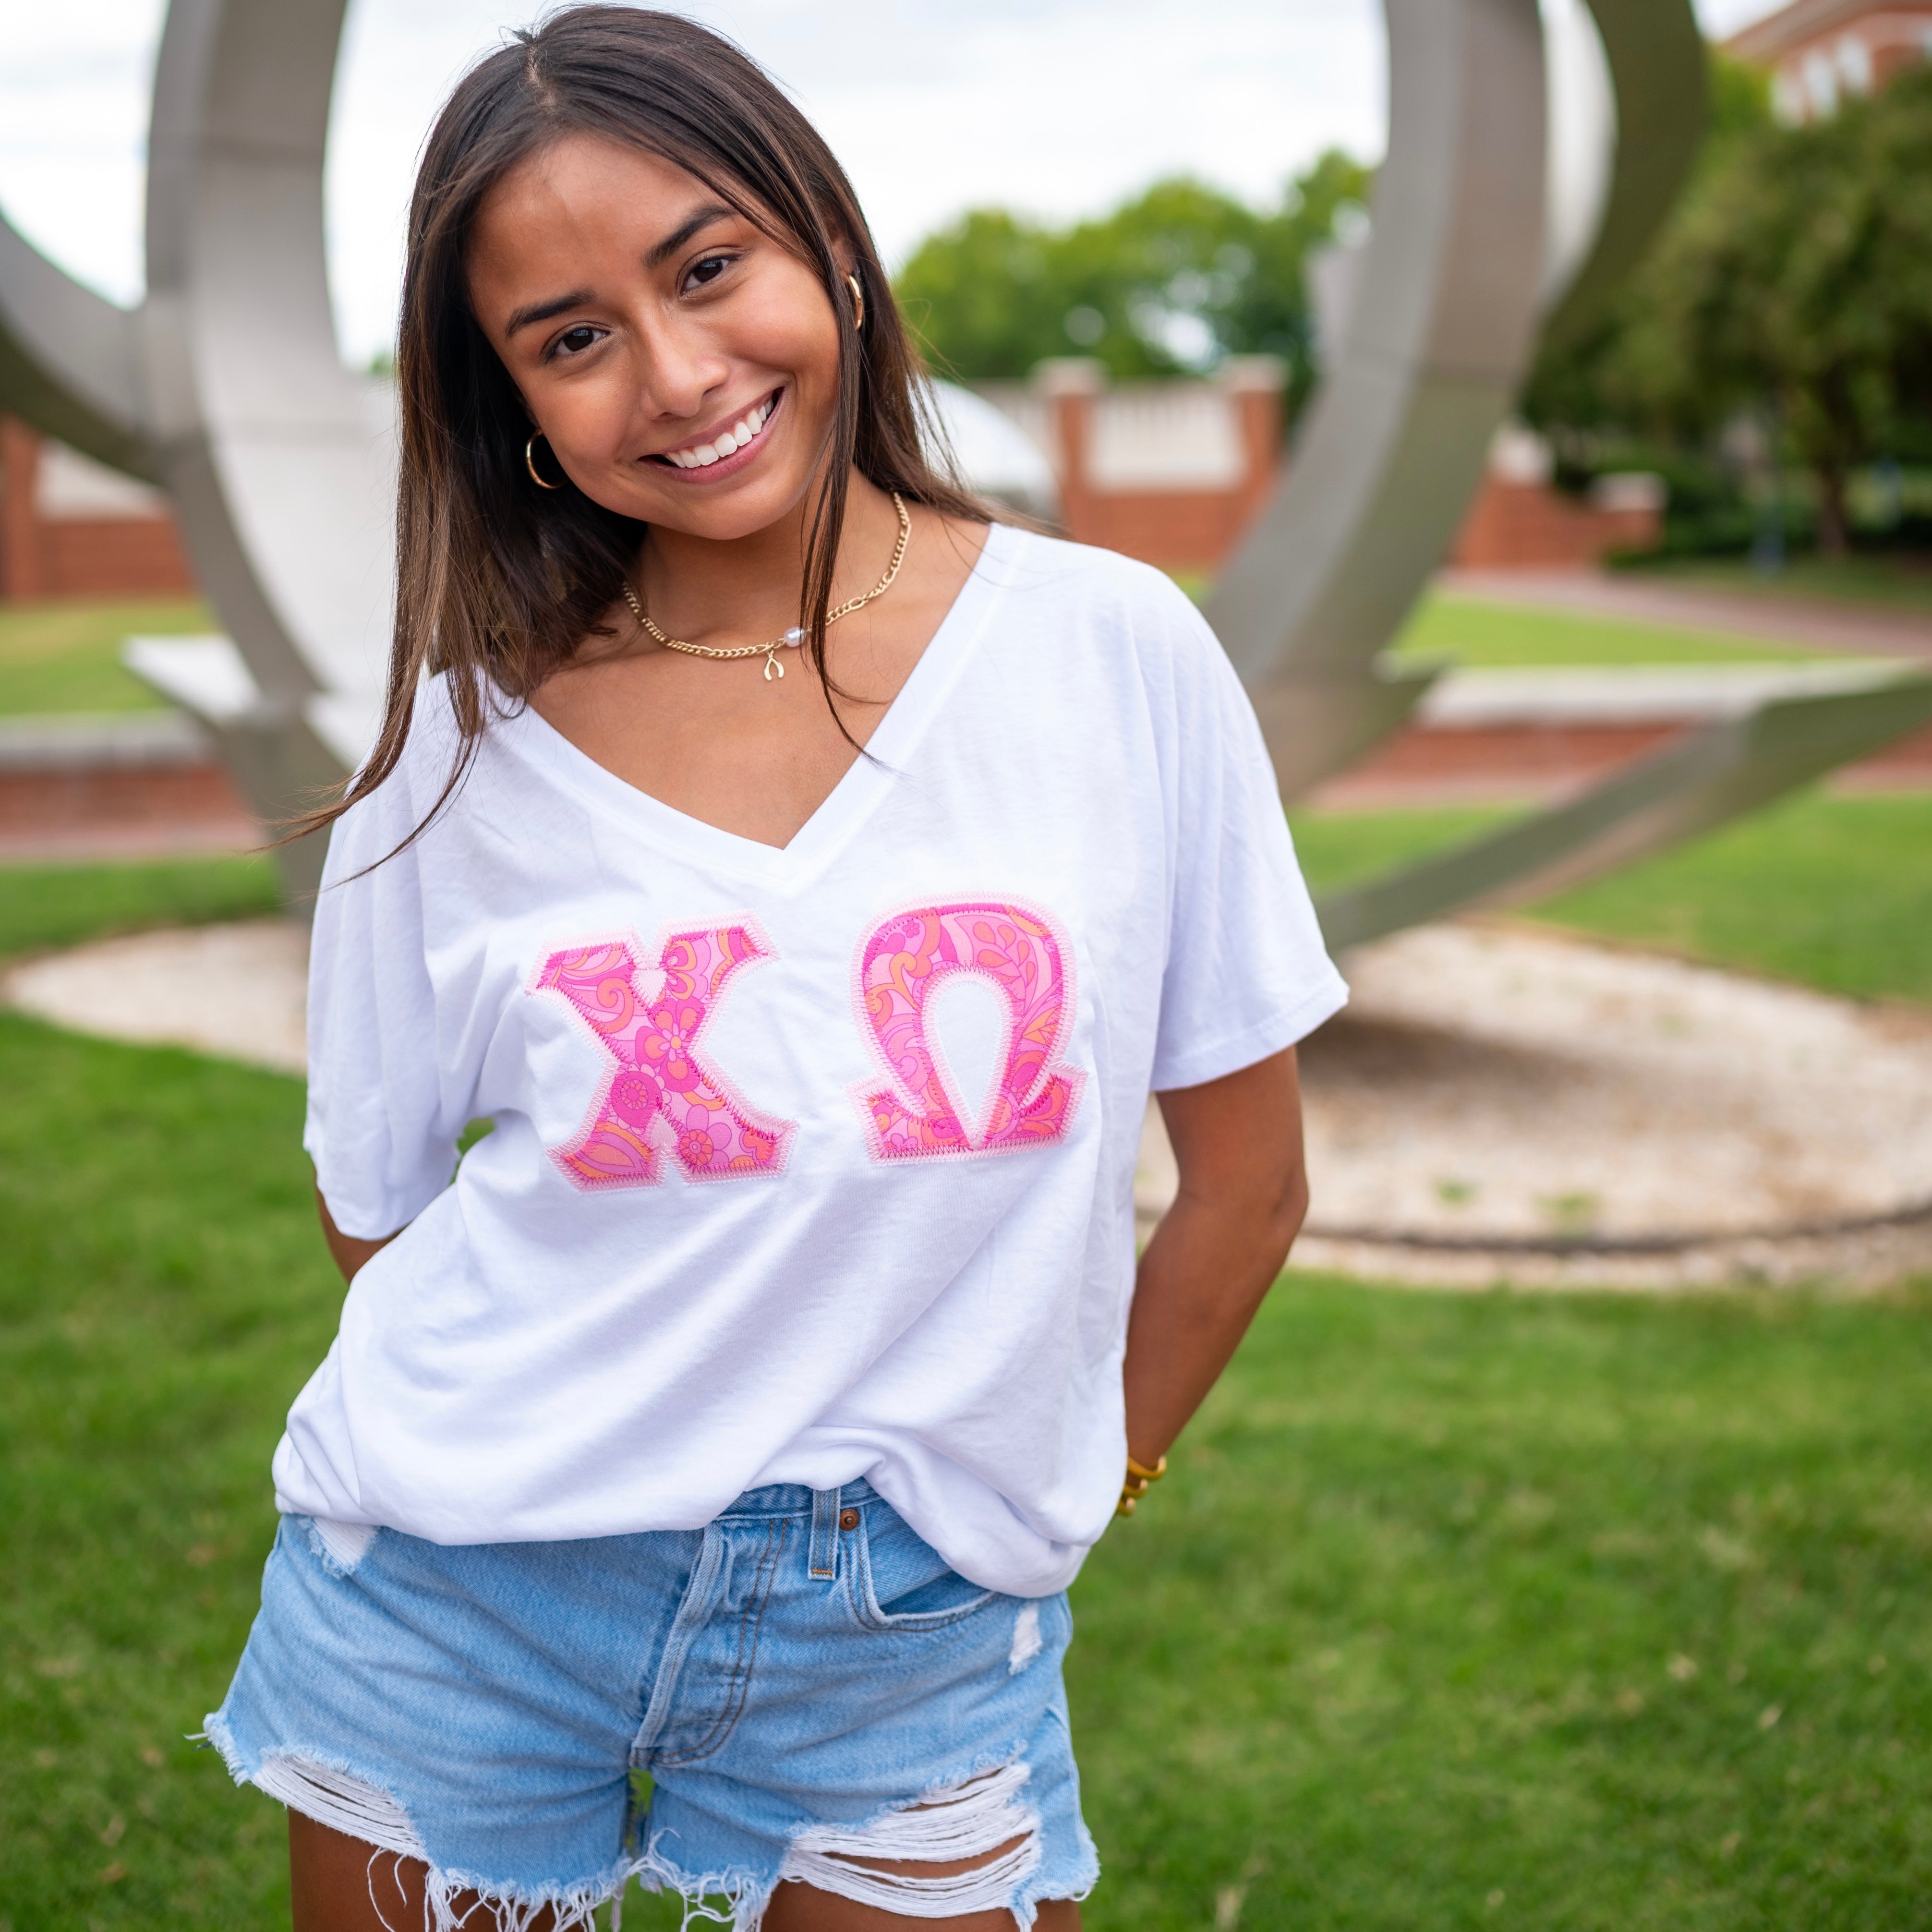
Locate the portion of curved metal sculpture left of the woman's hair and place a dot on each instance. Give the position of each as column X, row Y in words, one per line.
column 227, row 389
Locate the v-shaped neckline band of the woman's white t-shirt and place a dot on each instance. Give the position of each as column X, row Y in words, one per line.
column 845, row 807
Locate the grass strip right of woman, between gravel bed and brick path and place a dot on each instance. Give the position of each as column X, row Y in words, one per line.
column 1821, row 890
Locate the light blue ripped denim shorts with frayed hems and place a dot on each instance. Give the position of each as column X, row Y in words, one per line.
column 805, row 1684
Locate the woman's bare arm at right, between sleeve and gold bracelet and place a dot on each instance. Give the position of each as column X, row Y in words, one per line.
column 1218, row 1251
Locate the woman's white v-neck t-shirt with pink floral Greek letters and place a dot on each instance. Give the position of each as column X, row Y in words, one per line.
column 809, row 1164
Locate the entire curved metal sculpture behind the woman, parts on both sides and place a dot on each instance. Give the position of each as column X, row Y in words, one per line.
column 227, row 389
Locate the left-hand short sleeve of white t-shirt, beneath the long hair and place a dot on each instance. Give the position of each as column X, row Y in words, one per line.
column 384, row 1120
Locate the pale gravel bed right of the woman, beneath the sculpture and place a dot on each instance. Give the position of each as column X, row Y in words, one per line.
column 1506, row 1104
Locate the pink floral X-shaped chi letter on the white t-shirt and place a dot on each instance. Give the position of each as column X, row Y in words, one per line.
column 662, row 1096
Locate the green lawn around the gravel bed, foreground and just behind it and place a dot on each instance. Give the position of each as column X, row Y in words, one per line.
column 1587, row 1612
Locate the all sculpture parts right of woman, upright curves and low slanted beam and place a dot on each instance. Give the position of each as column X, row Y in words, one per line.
column 1444, row 326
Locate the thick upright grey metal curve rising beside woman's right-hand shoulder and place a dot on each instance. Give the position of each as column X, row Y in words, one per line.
column 1442, row 327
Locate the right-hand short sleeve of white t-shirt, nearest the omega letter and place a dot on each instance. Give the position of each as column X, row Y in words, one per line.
column 1247, row 973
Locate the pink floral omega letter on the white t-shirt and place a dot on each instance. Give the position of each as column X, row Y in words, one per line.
column 899, row 967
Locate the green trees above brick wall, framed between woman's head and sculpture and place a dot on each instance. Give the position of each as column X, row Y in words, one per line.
column 1176, row 279
